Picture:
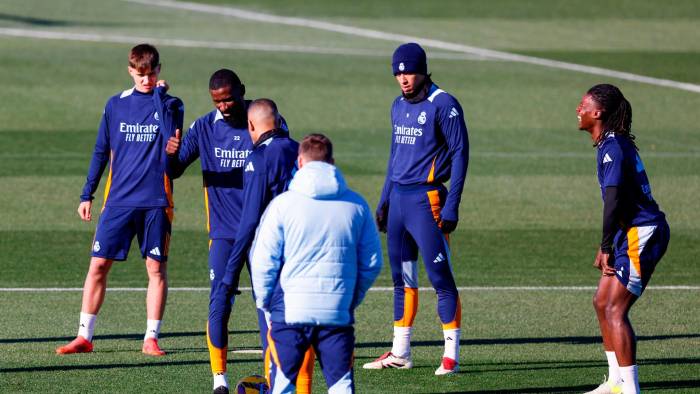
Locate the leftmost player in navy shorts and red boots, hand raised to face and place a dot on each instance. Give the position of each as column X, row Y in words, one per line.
column 135, row 127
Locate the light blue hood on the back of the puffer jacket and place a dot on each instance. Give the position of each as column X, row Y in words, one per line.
column 318, row 180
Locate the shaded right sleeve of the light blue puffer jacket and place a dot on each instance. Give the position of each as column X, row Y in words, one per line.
column 369, row 257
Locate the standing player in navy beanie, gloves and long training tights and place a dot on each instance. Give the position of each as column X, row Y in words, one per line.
column 429, row 147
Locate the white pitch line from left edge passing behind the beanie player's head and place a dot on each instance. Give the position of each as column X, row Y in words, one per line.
column 184, row 43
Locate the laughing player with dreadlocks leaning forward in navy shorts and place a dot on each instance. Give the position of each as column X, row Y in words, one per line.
column 635, row 232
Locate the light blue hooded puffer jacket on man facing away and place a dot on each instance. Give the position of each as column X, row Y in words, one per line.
column 316, row 251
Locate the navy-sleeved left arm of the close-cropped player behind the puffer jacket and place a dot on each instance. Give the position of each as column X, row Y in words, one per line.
column 254, row 192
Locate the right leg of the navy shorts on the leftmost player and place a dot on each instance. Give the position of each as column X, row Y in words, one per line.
column 153, row 228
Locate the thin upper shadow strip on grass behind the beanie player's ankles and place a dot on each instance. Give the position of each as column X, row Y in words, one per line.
column 520, row 341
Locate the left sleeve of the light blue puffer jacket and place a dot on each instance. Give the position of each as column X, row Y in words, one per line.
column 267, row 252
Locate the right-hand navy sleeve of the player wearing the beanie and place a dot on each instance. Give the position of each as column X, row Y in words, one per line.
column 454, row 129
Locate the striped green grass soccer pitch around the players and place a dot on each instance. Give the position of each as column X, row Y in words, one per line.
column 530, row 215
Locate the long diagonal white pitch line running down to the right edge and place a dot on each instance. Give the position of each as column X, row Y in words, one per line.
column 431, row 43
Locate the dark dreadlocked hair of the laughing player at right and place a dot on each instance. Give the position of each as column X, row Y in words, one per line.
column 616, row 111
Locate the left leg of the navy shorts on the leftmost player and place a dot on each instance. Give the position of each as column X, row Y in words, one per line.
column 114, row 233
